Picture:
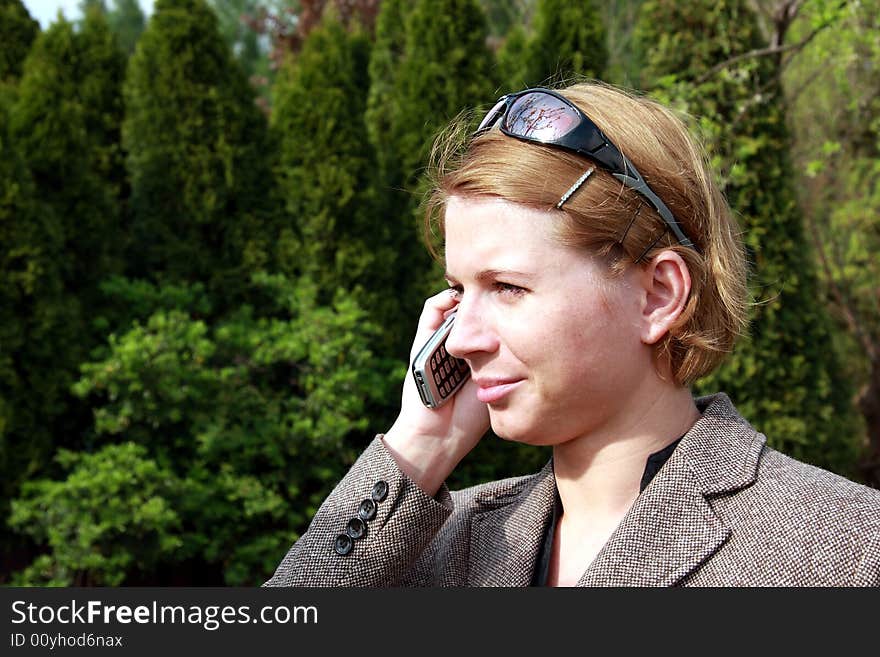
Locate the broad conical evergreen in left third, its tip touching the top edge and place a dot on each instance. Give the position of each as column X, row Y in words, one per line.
column 197, row 156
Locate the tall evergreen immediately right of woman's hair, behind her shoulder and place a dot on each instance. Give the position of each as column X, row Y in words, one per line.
column 785, row 377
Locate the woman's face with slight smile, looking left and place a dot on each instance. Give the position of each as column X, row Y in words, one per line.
column 552, row 341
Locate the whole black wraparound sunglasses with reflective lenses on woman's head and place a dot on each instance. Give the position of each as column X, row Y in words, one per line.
column 545, row 117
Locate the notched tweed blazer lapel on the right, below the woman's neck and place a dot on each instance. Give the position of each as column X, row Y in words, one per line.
column 671, row 528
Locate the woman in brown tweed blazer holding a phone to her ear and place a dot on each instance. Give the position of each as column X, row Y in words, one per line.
column 587, row 300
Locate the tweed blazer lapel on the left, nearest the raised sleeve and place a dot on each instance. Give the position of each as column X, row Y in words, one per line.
column 507, row 533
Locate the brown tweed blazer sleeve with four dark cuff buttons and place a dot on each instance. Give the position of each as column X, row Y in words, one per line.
column 369, row 531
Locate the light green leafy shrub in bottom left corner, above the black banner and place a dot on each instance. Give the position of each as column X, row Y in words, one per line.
column 111, row 517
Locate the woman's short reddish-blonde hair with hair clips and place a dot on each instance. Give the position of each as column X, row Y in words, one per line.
column 612, row 221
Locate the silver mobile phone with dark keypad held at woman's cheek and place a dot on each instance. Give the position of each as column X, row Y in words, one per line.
column 439, row 374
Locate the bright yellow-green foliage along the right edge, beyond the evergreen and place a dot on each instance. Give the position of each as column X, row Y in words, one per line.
column 834, row 86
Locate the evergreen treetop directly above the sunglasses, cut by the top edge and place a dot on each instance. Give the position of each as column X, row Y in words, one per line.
column 568, row 40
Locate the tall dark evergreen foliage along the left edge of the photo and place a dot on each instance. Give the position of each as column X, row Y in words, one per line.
column 60, row 231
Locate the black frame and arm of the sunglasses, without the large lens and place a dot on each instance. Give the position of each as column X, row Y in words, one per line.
column 587, row 140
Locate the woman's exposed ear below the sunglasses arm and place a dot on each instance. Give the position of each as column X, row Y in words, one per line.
column 666, row 283
